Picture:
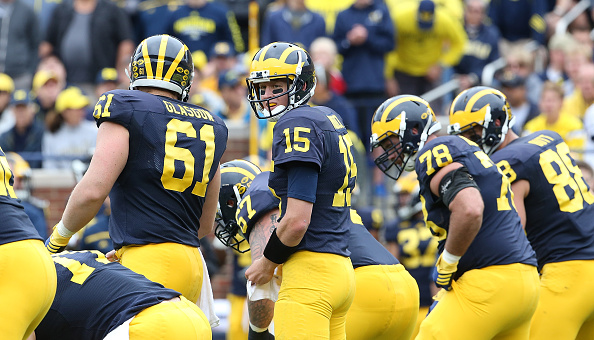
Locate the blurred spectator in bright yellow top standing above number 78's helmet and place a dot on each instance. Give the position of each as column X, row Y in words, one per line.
column 422, row 27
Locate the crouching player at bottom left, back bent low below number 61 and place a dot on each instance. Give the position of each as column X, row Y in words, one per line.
column 96, row 297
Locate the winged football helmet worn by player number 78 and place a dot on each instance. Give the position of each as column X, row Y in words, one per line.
column 401, row 126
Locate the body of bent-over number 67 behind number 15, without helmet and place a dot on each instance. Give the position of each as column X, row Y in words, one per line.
column 386, row 301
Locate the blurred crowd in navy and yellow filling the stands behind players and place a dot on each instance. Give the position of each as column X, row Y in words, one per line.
column 58, row 57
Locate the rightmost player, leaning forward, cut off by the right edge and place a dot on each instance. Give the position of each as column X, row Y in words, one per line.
column 554, row 203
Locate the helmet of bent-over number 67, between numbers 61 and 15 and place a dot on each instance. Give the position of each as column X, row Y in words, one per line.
column 236, row 177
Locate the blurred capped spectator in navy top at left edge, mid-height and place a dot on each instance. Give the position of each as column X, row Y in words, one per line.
column 26, row 135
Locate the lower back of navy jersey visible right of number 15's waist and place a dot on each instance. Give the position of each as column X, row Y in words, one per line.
column 365, row 249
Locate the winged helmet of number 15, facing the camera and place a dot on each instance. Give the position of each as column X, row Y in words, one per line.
column 280, row 61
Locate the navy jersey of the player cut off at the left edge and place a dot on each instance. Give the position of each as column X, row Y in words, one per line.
column 16, row 225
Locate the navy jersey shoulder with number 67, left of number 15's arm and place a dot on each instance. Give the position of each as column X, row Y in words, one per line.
column 257, row 201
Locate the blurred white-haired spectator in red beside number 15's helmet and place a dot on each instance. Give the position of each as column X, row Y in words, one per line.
column 324, row 53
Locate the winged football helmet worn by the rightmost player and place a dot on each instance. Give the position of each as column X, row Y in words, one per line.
column 483, row 115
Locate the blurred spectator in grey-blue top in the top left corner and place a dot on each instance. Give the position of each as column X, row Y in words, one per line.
column 19, row 39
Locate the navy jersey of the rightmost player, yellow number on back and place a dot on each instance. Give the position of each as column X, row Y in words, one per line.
column 559, row 210
